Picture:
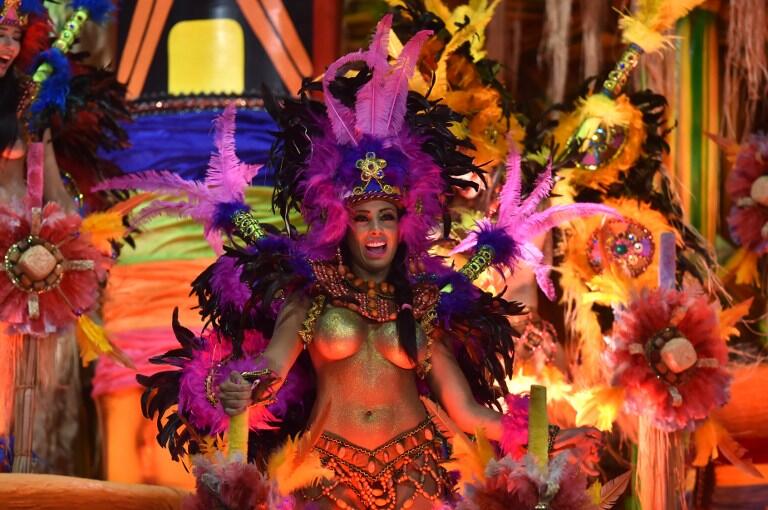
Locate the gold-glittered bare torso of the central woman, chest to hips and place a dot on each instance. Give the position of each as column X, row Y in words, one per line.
column 364, row 378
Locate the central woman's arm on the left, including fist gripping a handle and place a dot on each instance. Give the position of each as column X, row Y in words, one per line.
column 279, row 356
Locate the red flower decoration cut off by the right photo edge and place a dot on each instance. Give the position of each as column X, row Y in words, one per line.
column 747, row 185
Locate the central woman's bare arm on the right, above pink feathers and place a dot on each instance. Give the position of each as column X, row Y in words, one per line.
column 452, row 390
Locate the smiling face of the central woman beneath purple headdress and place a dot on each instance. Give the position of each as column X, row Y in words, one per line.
column 372, row 237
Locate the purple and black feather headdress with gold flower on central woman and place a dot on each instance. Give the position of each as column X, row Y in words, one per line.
column 370, row 139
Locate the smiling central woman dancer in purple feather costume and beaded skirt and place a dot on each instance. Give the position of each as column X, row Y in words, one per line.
column 352, row 329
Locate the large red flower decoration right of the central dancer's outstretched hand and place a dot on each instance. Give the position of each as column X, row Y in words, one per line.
column 667, row 352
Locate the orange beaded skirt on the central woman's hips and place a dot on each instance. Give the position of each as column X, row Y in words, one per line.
column 393, row 476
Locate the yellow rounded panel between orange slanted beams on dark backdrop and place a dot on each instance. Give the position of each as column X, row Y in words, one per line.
column 206, row 56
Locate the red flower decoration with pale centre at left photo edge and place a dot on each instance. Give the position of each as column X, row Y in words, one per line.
column 52, row 271
